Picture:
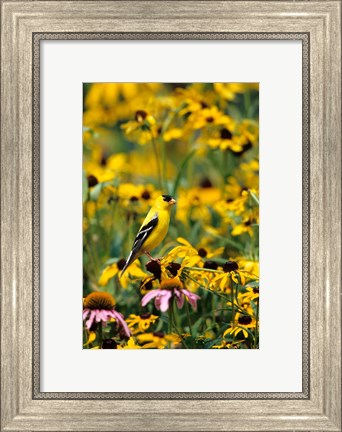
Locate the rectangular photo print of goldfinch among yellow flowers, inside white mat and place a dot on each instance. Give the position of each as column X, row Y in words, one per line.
column 170, row 215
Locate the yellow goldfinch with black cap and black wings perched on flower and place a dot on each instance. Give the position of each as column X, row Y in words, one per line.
column 153, row 230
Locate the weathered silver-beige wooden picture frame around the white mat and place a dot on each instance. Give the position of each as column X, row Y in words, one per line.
column 24, row 24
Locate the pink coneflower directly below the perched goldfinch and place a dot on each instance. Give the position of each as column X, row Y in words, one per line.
column 170, row 288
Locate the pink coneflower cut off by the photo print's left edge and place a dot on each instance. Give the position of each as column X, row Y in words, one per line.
column 100, row 307
